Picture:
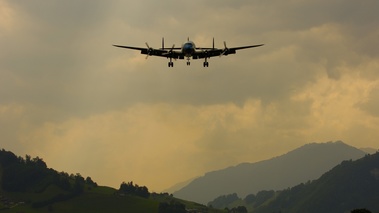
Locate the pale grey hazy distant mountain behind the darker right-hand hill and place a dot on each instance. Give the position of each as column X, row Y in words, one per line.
column 306, row 163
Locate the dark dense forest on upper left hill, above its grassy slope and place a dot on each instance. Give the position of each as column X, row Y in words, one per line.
column 31, row 176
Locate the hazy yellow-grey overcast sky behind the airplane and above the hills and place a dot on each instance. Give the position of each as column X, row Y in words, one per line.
column 69, row 97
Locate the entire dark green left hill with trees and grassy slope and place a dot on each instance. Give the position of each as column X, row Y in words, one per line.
column 28, row 185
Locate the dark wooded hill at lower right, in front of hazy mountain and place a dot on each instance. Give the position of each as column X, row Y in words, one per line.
column 348, row 186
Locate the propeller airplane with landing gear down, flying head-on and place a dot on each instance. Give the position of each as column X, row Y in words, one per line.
column 187, row 51
